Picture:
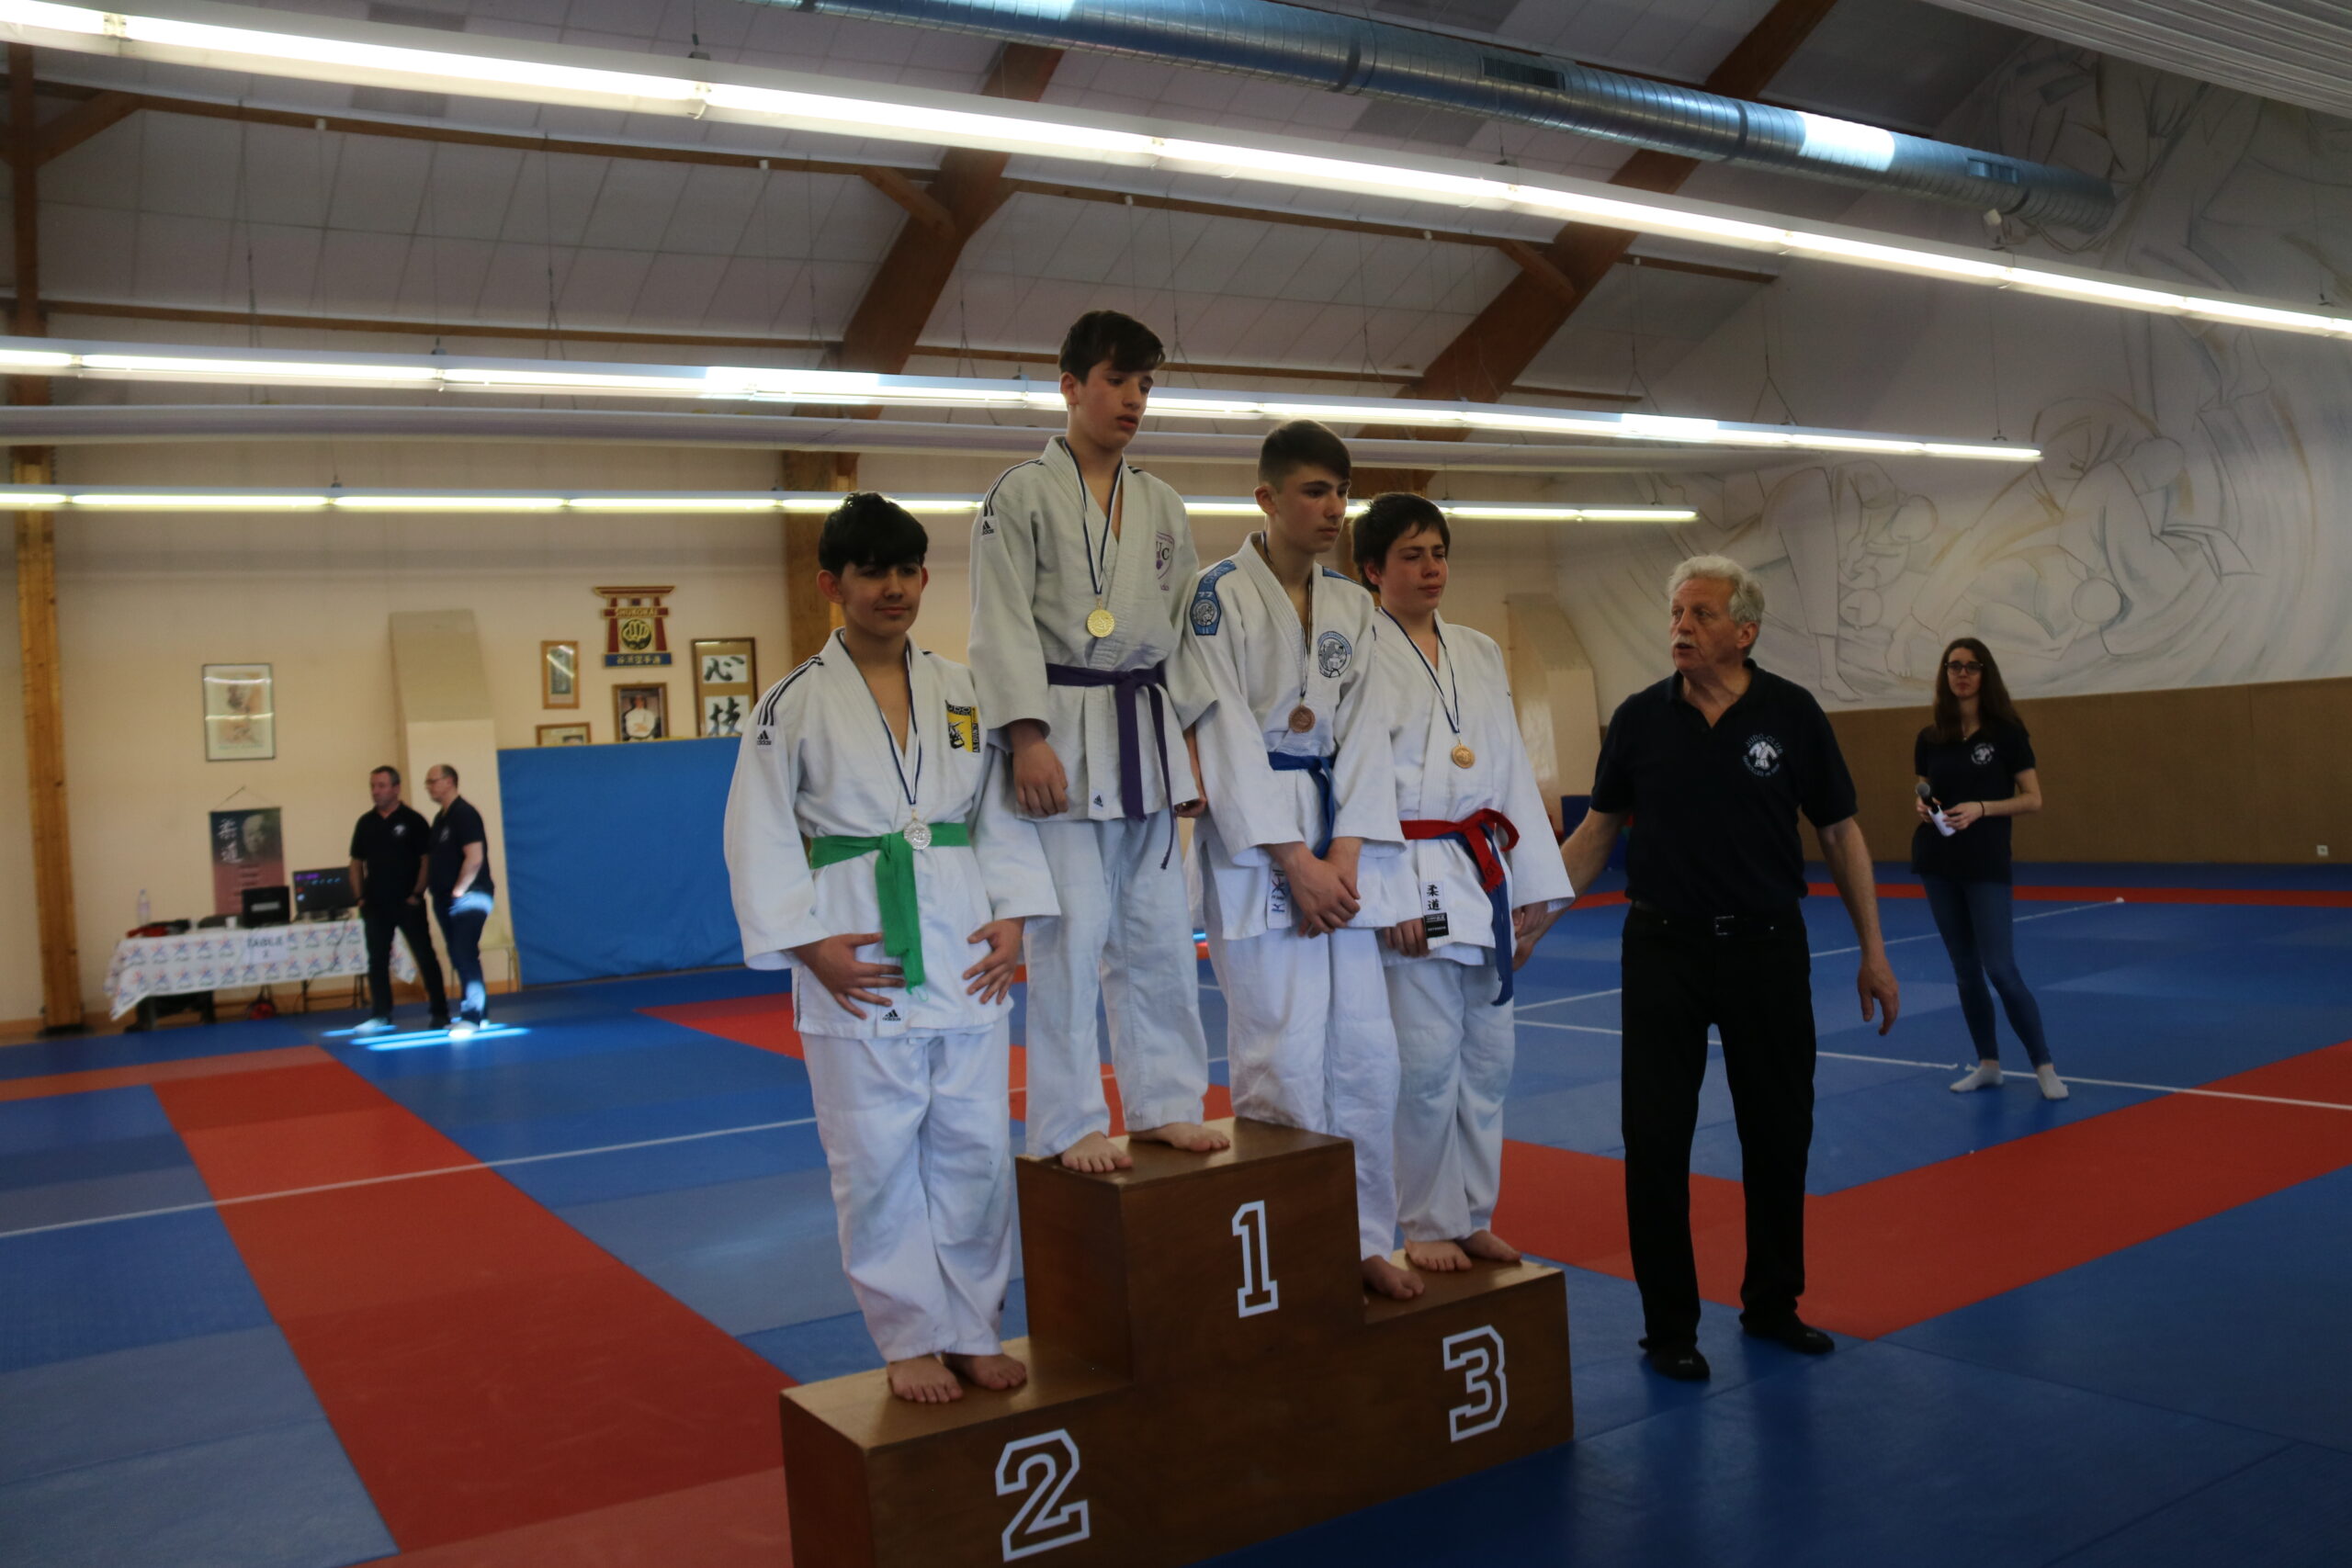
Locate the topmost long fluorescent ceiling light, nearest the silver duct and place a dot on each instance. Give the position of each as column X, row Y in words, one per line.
column 260, row 43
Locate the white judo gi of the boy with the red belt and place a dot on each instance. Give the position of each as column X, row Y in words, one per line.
column 1455, row 1043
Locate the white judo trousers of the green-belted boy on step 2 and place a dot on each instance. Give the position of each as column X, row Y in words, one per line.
column 923, row 1184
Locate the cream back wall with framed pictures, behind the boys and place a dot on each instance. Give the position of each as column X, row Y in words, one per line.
column 145, row 601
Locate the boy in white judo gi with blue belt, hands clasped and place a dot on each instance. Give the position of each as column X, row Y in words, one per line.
column 1295, row 760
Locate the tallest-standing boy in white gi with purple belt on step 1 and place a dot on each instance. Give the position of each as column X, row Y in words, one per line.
column 1081, row 568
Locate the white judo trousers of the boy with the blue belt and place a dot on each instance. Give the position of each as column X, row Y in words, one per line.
column 1309, row 1045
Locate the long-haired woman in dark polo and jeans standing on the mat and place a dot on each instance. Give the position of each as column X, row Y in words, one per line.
column 1977, row 770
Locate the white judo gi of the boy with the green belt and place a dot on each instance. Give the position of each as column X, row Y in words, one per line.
column 911, row 1101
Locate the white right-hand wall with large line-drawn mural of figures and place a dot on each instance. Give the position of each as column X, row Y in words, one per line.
column 2186, row 523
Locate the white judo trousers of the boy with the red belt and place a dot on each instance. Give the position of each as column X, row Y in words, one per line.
column 1455, row 1054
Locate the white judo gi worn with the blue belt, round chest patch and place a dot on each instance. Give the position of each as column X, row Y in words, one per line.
column 1309, row 1031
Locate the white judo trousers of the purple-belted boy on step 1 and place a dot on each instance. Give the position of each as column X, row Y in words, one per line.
column 1123, row 939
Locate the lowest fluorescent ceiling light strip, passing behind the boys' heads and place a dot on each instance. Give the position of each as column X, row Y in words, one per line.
column 653, row 502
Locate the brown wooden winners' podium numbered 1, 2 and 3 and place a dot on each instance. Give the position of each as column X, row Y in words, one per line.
column 1205, row 1372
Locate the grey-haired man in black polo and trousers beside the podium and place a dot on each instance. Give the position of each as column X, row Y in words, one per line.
column 1713, row 768
